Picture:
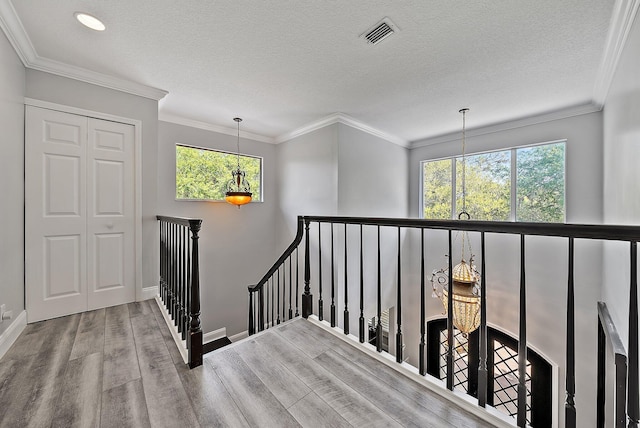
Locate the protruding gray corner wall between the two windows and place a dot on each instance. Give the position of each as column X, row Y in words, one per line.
column 343, row 171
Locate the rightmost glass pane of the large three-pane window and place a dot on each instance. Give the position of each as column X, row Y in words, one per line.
column 540, row 183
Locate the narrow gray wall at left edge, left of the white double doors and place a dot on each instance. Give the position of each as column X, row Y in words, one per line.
column 12, row 91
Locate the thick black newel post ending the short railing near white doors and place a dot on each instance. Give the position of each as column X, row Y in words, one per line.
column 195, row 332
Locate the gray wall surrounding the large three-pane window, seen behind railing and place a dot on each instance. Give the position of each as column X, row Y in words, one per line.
column 545, row 257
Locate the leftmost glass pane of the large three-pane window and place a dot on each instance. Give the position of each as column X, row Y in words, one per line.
column 437, row 189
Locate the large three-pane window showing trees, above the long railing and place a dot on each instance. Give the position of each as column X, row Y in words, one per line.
column 524, row 184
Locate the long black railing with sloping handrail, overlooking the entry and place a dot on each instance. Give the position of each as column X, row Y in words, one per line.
column 273, row 280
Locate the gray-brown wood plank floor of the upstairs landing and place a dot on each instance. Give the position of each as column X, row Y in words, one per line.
column 119, row 367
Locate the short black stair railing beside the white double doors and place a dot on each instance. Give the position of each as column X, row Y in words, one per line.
column 180, row 283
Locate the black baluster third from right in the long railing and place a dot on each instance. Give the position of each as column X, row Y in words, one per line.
column 522, row 342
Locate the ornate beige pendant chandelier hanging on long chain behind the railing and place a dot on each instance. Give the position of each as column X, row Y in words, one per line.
column 465, row 276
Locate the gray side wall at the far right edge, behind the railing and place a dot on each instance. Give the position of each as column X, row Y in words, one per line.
column 621, row 174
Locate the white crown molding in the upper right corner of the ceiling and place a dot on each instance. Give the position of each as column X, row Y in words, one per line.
column 624, row 13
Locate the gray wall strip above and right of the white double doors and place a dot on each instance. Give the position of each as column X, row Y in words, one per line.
column 69, row 92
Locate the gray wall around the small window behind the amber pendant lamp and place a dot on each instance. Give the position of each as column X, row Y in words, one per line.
column 236, row 245
